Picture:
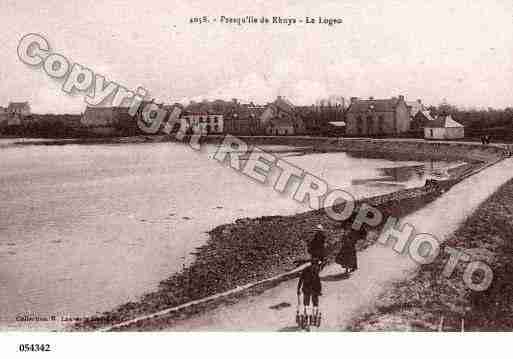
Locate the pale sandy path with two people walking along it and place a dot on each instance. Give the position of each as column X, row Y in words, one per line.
column 379, row 266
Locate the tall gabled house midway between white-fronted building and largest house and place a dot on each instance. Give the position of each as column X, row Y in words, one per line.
column 282, row 118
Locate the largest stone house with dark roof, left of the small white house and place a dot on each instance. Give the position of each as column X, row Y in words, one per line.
column 377, row 117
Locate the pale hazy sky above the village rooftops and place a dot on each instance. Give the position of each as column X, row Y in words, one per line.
column 459, row 50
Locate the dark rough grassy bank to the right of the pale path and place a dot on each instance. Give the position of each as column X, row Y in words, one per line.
column 421, row 303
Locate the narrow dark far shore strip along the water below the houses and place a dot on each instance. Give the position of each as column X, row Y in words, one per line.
column 395, row 148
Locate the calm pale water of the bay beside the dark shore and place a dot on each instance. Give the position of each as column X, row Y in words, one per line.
column 86, row 228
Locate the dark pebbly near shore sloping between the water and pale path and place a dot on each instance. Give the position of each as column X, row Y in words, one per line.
column 229, row 260
